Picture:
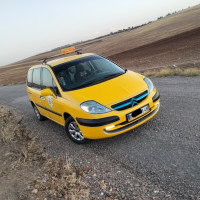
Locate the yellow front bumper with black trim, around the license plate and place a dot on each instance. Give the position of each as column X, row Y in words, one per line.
column 116, row 123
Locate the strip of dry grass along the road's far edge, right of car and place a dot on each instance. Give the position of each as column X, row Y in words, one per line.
column 174, row 72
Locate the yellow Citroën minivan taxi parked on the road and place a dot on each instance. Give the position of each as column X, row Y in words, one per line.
column 91, row 96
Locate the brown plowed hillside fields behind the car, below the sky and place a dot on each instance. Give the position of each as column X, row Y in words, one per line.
column 173, row 40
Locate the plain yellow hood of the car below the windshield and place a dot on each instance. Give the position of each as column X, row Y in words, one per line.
column 110, row 91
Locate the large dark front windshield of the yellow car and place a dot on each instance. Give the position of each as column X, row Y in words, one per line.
column 85, row 72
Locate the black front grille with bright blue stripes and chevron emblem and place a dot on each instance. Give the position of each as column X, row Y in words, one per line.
column 130, row 102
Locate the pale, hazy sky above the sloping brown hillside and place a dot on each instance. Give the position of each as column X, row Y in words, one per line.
column 30, row 27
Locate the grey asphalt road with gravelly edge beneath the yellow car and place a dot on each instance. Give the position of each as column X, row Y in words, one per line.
column 159, row 159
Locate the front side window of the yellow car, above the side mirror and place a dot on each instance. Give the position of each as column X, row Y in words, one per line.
column 48, row 81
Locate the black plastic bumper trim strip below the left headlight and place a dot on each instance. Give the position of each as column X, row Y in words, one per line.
column 97, row 122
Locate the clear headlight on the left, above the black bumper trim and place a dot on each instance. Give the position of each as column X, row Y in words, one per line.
column 93, row 107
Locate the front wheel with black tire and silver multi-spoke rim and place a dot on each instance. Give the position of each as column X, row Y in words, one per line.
column 73, row 131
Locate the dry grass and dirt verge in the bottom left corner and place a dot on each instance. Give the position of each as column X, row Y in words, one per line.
column 23, row 157
